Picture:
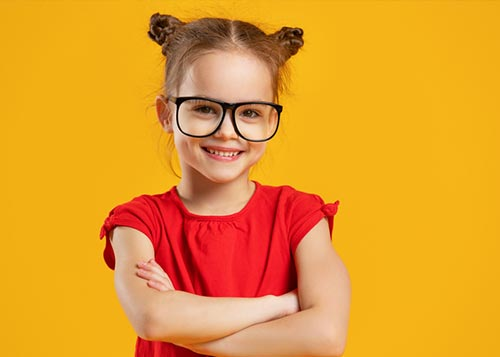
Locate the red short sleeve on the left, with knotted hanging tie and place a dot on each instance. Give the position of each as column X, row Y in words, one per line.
column 138, row 214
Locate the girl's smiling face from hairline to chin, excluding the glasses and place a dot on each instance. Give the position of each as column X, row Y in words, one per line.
column 230, row 77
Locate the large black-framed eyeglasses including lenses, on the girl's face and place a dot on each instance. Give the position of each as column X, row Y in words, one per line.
column 200, row 117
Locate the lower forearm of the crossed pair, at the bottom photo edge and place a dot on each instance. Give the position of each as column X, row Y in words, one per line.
column 306, row 333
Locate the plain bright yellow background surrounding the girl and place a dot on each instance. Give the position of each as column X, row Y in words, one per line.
column 394, row 109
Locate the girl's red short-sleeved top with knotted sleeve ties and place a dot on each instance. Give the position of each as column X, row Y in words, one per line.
column 245, row 254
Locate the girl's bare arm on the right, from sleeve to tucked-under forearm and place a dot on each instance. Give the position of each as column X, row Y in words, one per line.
column 320, row 329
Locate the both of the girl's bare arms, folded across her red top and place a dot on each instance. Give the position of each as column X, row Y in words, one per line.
column 311, row 321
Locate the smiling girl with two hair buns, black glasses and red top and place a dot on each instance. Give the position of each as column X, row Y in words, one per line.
column 221, row 265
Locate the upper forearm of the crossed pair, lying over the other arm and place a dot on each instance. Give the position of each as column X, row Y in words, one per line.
column 184, row 318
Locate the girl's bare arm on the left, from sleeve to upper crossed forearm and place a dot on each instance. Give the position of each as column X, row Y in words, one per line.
column 176, row 316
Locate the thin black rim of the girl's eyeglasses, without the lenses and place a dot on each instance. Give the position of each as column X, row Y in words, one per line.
column 225, row 106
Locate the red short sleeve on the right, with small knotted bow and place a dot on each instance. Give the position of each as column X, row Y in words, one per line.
column 306, row 211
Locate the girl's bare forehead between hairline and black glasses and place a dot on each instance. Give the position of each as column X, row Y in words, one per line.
column 230, row 76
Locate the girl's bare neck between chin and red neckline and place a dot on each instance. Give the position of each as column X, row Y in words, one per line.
column 205, row 197
